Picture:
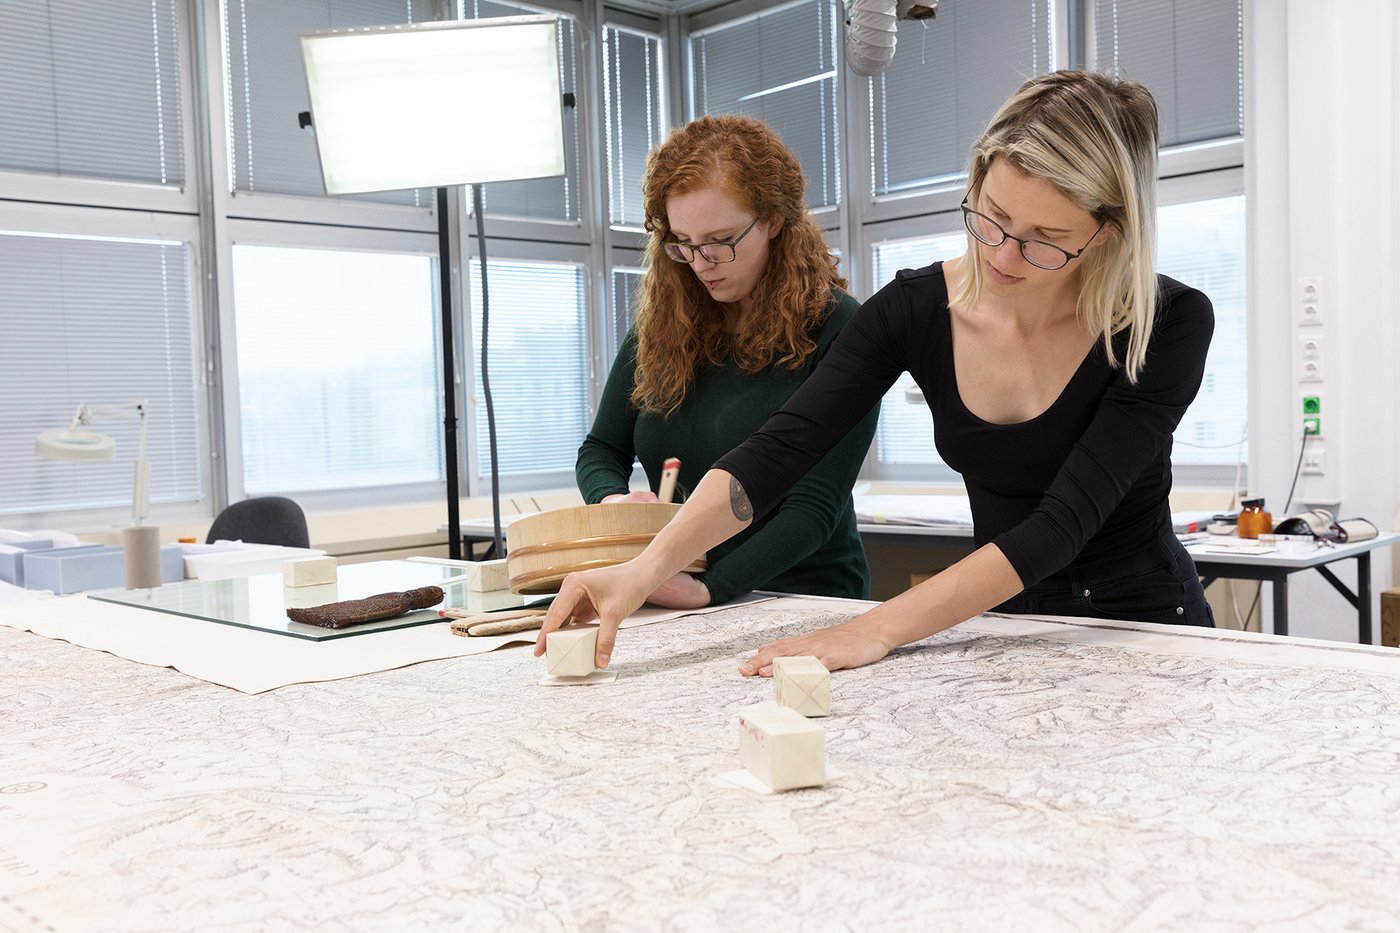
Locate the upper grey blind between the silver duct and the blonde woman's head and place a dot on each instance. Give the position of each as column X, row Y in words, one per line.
column 948, row 78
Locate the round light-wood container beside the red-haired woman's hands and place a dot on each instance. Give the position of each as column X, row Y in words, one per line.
column 544, row 550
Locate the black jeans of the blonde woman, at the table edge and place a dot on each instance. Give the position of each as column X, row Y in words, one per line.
column 1154, row 585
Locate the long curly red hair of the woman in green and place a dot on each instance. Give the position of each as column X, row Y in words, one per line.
column 680, row 327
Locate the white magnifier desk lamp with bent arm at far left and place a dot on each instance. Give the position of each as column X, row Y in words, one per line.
column 141, row 544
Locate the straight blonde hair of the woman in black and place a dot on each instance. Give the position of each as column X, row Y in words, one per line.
column 1094, row 138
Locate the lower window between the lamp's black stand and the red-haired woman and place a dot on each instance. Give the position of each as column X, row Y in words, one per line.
column 538, row 365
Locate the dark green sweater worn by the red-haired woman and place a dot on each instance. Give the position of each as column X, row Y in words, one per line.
column 807, row 544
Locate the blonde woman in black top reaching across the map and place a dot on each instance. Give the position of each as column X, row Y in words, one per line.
column 1056, row 365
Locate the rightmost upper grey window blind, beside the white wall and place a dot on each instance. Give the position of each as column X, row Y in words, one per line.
column 1188, row 53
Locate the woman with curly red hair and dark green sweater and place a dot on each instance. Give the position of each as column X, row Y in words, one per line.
column 740, row 302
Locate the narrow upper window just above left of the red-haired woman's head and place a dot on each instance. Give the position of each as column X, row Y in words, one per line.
column 633, row 118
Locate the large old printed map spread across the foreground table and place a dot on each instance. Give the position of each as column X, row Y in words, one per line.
column 1007, row 775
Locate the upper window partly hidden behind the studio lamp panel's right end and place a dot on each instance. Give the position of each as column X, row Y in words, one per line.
column 538, row 198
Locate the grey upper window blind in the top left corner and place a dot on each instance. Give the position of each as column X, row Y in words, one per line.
column 92, row 88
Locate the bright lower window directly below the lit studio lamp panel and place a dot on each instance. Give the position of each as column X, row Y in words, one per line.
column 339, row 369
